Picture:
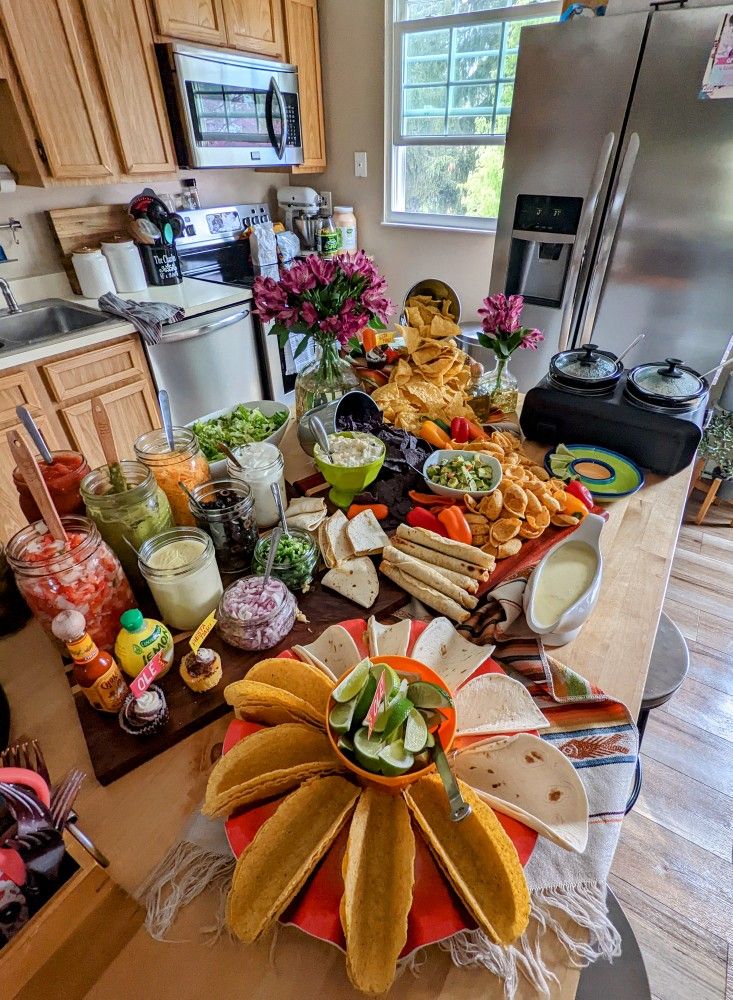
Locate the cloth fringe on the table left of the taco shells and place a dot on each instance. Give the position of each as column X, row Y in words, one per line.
column 181, row 876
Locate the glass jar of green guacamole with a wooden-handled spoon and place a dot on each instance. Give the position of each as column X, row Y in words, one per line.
column 128, row 506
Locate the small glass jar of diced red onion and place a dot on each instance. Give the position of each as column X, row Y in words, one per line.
column 256, row 615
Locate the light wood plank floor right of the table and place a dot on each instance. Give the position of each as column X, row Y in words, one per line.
column 673, row 872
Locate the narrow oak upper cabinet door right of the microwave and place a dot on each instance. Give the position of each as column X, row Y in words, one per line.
column 304, row 49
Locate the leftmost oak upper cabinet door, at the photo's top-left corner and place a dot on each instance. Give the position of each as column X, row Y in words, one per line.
column 49, row 52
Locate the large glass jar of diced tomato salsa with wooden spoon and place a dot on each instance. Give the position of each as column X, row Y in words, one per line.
column 82, row 574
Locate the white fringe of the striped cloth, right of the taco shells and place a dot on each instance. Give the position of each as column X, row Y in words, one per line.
column 584, row 904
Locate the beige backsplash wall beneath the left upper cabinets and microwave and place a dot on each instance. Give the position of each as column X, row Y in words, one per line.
column 37, row 253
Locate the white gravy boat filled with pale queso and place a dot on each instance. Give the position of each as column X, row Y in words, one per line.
column 563, row 588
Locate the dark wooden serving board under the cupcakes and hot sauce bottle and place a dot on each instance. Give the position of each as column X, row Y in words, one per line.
column 113, row 752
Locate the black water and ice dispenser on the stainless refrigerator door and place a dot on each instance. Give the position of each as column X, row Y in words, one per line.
column 545, row 227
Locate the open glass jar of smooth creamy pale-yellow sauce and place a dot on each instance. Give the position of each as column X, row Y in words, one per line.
column 182, row 574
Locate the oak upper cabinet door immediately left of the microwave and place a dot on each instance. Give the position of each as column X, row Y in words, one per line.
column 123, row 43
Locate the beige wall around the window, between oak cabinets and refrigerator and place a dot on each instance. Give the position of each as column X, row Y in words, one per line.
column 352, row 46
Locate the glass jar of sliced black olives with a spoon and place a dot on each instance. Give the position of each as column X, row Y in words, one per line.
column 224, row 509
